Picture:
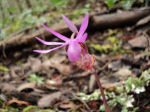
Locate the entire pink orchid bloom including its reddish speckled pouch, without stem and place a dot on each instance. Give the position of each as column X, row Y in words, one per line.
column 76, row 50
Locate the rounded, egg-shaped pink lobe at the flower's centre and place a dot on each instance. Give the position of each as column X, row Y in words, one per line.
column 73, row 51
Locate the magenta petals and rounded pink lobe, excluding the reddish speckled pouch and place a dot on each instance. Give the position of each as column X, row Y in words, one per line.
column 74, row 48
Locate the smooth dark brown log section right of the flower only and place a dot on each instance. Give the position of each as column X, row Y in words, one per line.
column 119, row 19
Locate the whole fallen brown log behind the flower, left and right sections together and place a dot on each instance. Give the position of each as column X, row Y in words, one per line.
column 96, row 22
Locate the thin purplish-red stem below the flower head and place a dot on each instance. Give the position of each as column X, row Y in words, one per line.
column 101, row 90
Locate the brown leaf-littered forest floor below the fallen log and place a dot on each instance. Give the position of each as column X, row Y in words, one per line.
column 30, row 82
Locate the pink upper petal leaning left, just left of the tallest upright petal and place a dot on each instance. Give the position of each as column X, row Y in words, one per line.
column 71, row 26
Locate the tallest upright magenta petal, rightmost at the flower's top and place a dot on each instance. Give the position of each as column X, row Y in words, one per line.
column 83, row 26
